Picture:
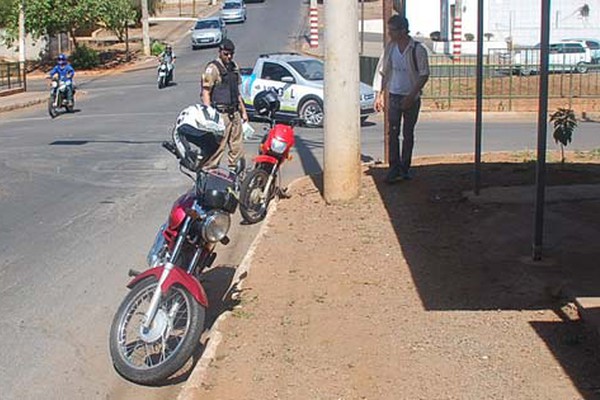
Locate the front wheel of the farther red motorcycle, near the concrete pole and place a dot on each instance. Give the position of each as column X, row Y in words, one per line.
column 254, row 198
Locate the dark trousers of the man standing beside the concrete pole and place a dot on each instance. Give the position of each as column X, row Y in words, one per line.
column 400, row 162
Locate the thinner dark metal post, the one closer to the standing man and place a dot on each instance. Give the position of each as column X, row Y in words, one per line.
column 479, row 101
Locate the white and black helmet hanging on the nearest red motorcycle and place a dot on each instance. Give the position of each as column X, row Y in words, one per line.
column 201, row 126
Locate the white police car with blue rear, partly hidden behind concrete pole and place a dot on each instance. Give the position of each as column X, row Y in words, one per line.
column 298, row 80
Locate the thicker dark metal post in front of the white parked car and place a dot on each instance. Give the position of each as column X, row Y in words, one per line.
column 540, row 178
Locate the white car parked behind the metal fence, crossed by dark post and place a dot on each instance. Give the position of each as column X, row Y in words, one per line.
column 565, row 56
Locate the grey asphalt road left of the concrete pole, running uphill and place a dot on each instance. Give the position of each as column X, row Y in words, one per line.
column 81, row 198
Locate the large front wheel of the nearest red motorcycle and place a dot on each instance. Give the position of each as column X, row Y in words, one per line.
column 150, row 357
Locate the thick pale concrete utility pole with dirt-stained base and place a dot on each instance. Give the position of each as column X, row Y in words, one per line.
column 341, row 163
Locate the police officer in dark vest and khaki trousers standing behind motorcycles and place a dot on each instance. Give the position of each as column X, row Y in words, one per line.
column 221, row 89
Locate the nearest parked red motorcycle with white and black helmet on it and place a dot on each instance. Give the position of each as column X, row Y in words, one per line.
column 158, row 325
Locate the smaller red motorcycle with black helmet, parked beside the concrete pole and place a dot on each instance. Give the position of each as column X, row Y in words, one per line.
column 263, row 182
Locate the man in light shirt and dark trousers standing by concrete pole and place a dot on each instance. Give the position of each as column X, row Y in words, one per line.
column 402, row 71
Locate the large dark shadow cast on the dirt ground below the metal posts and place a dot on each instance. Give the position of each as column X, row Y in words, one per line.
column 470, row 256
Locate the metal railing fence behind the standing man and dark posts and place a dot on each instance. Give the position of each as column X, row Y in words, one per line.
column 451, row 80
